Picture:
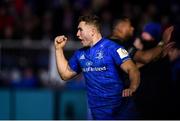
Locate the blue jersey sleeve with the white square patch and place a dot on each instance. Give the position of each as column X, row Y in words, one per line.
column 119, row 55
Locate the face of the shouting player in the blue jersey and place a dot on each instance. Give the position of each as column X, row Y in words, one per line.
column 84, row 33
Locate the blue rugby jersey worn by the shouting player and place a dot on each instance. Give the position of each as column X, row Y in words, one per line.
column 100, row 65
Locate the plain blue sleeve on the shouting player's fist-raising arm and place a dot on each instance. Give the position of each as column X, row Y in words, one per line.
column 74, row 63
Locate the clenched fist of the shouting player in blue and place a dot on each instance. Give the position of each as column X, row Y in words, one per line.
column 60, row 42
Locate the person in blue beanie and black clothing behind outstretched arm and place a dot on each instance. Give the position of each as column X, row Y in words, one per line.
column 154, row 90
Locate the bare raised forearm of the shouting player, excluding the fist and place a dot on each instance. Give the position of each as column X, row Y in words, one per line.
column 62, row 65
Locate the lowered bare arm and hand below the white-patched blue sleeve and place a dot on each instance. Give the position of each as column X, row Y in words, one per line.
column 134, row 76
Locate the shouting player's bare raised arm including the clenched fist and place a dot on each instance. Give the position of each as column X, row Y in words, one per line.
column 62, row 64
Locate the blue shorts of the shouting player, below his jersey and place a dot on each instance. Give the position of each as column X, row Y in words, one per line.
column 126, row 110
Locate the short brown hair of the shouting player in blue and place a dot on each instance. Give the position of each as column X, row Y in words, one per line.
column 91, row 19
